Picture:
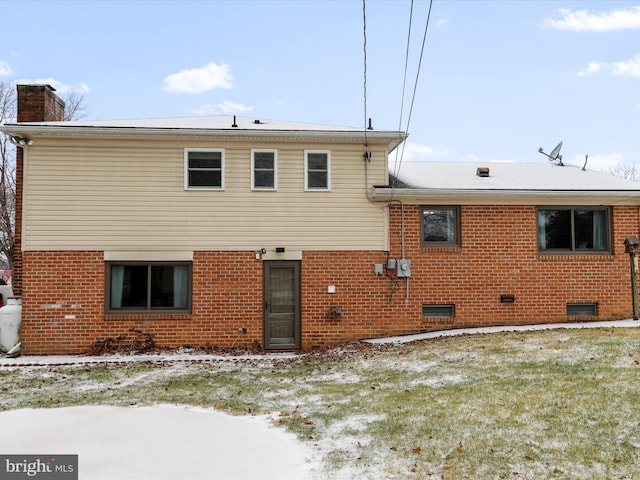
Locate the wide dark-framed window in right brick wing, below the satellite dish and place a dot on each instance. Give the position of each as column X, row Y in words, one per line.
column 578, row 229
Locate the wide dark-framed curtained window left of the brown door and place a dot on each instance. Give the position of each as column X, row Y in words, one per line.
column 148, row 287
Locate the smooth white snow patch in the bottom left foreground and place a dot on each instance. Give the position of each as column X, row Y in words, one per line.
column 157, row 443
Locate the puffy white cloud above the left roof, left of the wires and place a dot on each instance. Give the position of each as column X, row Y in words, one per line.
column 198, row 80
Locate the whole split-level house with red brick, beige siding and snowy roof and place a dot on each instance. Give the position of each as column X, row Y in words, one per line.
column 232, row 231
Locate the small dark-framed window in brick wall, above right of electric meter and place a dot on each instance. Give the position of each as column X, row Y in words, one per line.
column 440, row 226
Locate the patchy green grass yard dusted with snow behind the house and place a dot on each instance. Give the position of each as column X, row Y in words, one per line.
column 559, row 404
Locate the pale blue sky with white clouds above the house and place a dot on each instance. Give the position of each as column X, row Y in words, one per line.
column 499, row 79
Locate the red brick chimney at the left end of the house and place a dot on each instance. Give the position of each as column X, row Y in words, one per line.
column 36, row 103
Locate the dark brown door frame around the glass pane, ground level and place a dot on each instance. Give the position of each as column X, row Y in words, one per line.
column 297, row 269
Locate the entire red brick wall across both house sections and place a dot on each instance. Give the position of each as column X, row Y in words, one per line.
column 63, row 298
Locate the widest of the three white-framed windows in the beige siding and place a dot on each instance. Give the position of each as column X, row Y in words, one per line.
column 203, row 168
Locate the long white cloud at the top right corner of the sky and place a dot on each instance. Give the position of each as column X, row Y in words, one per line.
column 587, row 21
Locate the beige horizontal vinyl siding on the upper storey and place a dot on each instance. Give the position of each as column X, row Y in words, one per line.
column 129, row 195
